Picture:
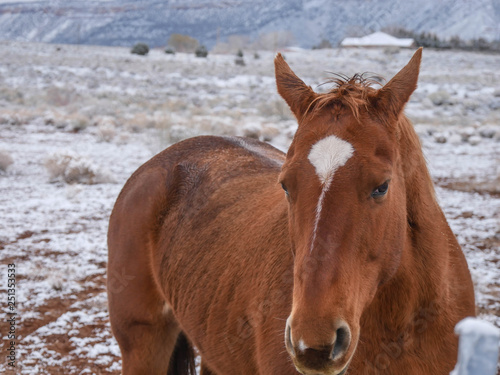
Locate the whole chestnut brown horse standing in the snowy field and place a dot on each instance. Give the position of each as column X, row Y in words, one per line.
column 352, row 270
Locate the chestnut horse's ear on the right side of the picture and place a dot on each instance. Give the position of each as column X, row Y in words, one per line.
column 396, row 93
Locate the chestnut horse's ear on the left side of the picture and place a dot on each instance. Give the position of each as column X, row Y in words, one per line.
column 291, row 88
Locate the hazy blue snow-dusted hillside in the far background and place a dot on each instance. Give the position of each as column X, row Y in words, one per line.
column 124, row 22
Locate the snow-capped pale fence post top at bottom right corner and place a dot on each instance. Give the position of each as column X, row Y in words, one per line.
column 477, row 347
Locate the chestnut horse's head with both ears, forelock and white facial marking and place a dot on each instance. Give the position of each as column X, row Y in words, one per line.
column 344, row 182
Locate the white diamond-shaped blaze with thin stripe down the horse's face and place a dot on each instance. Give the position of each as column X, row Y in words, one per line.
column 327, row 155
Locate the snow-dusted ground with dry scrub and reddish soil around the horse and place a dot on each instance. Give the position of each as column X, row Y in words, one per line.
column 74, row 115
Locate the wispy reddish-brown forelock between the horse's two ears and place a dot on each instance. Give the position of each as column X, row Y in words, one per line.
column 350, row 92
